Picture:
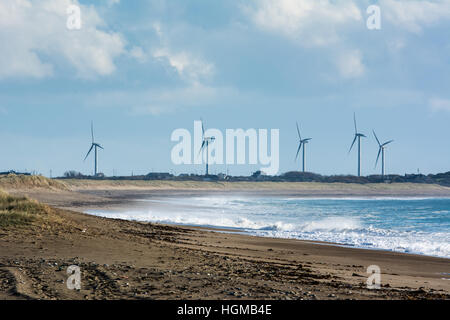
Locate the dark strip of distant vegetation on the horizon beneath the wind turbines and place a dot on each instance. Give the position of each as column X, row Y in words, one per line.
column 292, row 176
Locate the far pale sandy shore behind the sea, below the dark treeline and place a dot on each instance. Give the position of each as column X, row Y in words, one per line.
column 82, row 194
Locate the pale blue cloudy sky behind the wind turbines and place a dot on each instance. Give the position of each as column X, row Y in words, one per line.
column 141, row 69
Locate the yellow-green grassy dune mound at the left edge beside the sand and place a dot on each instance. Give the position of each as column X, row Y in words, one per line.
column 21, row 211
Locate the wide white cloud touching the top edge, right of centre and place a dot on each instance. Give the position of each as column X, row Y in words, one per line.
column 311, row 22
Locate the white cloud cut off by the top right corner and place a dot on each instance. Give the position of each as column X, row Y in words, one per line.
column 414, row 15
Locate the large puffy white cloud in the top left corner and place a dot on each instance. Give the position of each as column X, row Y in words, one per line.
column 35, row 40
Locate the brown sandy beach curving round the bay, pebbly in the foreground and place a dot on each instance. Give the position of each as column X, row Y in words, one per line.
column 130, row 260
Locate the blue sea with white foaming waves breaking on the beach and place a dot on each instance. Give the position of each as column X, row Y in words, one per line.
column 410, row 225
